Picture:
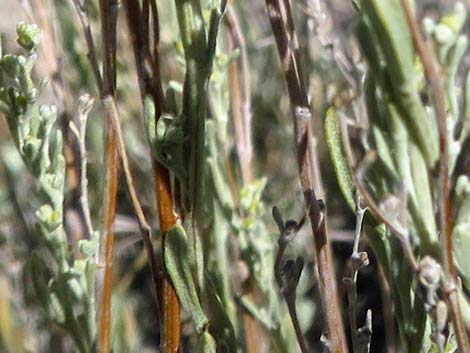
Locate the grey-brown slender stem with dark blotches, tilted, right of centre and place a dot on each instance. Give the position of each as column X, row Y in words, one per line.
column 288, row 52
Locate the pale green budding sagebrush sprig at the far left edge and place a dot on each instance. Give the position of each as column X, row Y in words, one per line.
column 64, row 284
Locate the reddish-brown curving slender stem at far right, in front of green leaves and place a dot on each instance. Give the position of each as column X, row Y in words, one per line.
column 434, row 80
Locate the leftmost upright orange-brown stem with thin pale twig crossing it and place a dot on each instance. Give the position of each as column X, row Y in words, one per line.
column 114, row 143
